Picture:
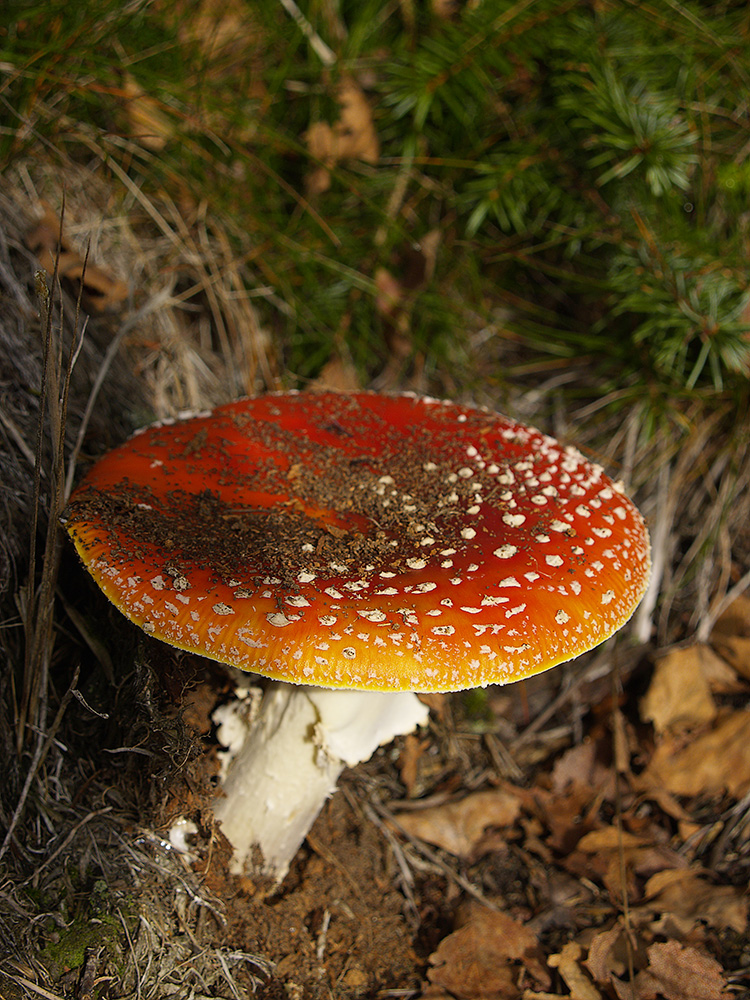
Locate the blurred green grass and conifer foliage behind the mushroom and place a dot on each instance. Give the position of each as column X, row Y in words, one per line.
column 585, row 164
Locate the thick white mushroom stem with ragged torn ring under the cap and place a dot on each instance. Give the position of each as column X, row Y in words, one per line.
column 291, row 758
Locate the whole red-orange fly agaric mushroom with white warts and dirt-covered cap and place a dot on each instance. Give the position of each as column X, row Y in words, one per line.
column 383, row 545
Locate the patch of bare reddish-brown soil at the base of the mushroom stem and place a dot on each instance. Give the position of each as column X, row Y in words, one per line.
column 337, row 924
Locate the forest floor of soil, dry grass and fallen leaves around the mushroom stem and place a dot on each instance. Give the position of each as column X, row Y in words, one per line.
column 584, row 834
